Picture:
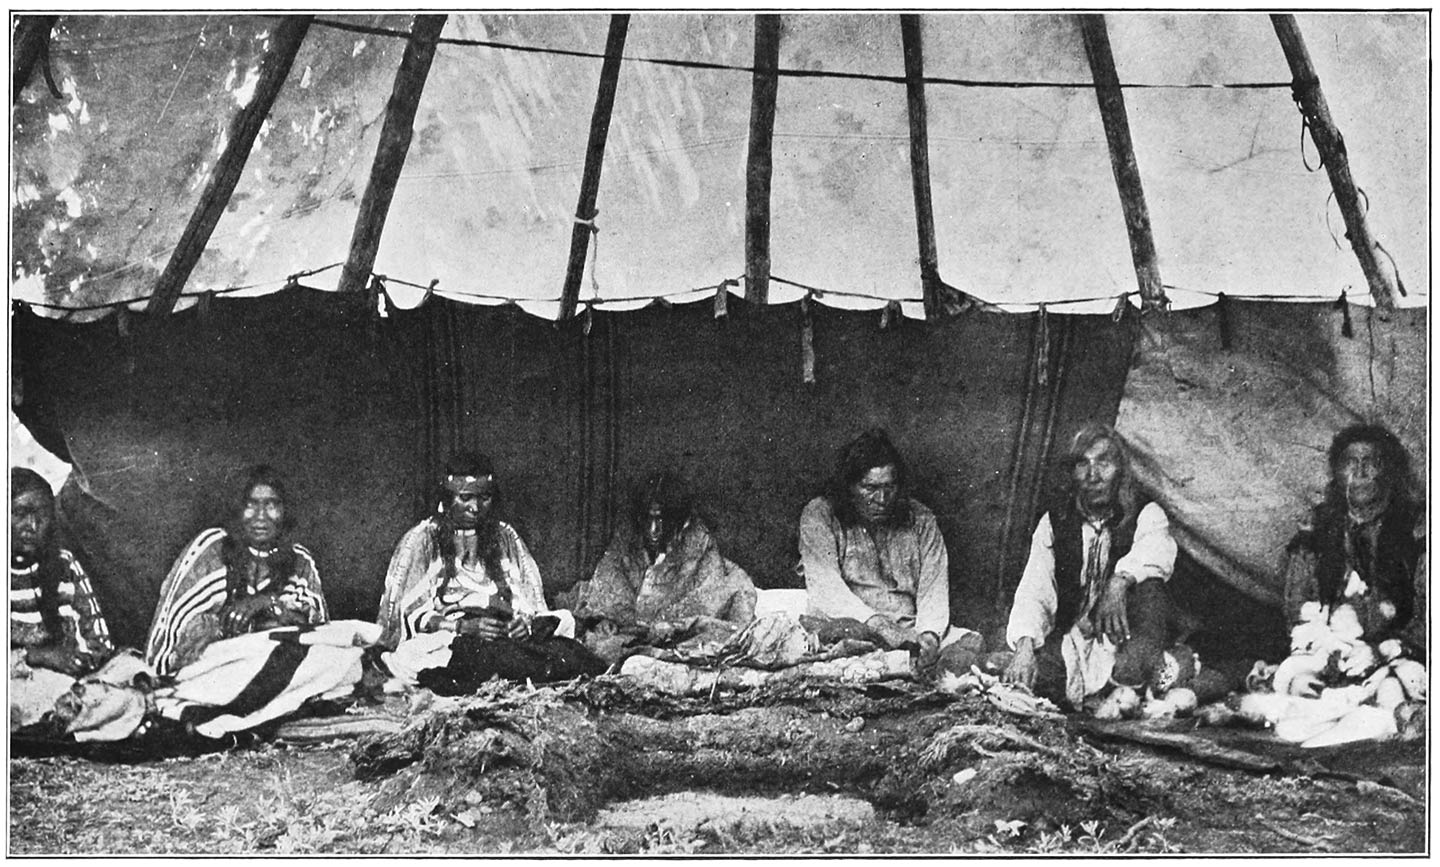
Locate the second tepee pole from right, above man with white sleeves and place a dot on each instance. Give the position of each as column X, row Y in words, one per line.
column 1122, row 159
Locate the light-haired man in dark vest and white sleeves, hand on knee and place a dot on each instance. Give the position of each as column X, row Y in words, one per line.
column 1092, row 608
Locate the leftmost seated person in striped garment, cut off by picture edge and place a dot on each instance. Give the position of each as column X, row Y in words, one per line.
column 57, row 629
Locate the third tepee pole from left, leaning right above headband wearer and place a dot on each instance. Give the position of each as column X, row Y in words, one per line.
column 390, row 156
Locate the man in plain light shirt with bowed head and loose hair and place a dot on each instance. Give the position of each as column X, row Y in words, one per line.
column 873, row 555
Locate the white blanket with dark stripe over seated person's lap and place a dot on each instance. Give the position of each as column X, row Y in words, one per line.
column 246, row 682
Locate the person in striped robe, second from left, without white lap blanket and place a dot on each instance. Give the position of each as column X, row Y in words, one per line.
column 235, row 581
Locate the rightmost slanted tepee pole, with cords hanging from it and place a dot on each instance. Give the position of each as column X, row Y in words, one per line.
column 1331, row 145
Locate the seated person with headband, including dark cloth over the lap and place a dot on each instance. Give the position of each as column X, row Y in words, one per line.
column 464, row 601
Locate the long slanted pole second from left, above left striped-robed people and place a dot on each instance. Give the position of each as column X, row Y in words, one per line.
column 246, row 126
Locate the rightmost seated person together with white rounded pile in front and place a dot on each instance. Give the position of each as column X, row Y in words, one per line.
column 1356, row 604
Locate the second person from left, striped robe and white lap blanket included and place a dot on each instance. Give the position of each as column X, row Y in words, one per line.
column 241, row 634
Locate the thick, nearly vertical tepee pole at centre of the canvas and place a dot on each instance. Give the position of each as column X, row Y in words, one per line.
column 761, row 162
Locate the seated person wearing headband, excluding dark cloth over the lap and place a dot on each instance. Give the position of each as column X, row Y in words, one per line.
column 463, row 572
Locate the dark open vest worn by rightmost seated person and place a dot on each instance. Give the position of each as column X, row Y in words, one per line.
column 1398, row 555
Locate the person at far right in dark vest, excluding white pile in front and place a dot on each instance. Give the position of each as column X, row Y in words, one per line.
column 1364, row 545
